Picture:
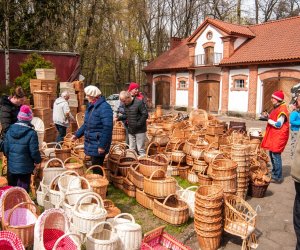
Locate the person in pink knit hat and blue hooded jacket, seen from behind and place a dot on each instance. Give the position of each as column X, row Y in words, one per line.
column 21, row 148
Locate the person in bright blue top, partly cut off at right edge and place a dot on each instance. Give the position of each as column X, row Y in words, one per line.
column 295, row 124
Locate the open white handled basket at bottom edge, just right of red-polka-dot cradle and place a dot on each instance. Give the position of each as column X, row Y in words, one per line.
column 107, row 239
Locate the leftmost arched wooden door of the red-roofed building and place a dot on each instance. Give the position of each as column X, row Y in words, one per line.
column 162, row 91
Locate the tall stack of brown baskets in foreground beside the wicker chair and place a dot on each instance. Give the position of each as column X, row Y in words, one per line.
column 208, row 216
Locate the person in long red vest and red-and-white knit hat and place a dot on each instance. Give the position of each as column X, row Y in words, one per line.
column 277, row 134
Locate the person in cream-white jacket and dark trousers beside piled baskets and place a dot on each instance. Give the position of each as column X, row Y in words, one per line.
column 62, row 115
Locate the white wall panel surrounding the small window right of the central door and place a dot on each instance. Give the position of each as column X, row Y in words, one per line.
column 238, row 100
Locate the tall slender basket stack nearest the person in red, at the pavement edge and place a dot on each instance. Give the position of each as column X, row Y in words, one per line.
column 240, row 154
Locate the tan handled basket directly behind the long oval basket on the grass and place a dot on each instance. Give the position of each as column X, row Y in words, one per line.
column 159, row 188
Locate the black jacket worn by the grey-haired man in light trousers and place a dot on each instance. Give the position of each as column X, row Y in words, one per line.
column 136, row 115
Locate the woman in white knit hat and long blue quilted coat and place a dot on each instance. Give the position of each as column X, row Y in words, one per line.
column 97, row 127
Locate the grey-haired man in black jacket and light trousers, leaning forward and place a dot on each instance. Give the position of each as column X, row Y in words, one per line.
column 136, row 114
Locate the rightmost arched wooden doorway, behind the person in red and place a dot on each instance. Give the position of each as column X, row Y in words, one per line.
column 274, row 80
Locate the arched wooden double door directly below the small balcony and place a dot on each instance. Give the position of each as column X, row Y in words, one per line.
column 208, row 92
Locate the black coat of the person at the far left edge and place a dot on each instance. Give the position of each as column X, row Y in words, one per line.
column 8, row 113
